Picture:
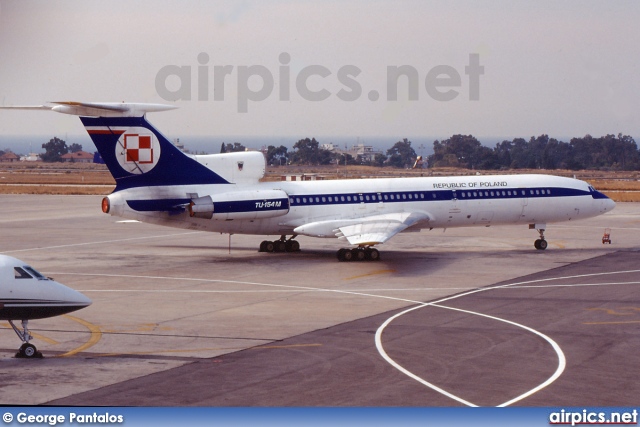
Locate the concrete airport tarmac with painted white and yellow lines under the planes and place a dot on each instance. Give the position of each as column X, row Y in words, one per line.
column 179, row 319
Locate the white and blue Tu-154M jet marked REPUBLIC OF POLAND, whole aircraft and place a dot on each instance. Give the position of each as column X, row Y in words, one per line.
column 157, row 183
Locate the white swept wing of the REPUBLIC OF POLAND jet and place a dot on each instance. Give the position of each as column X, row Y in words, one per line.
column 368, row 230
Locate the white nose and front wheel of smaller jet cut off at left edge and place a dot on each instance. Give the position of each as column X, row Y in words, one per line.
column 26, row 294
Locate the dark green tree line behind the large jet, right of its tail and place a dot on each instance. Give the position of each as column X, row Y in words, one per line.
column 465, row 151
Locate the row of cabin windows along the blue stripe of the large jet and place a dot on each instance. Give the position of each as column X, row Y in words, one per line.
column 409, row 196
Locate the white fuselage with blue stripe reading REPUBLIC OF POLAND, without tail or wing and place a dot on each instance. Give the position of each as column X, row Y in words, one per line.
column 446, row 202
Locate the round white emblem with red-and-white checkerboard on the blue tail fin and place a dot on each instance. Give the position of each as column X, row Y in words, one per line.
column 137, row 150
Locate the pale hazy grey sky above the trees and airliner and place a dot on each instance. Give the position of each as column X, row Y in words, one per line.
column 561, row 68
